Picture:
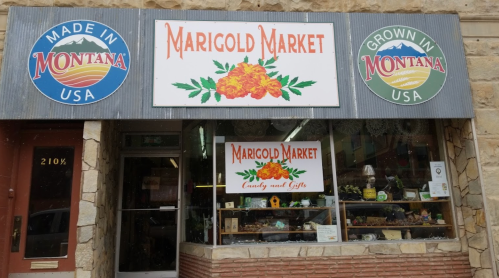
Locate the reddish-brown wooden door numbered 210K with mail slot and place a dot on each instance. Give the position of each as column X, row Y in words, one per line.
column 47, row 187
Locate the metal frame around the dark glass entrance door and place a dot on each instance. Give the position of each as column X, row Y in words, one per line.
column 152, row 274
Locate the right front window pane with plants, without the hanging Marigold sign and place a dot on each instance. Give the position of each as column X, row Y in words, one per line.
column 389, row 160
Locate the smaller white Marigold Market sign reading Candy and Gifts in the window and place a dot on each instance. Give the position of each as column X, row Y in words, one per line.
column 269, row 167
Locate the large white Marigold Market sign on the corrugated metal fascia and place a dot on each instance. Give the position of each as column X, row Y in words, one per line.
column 205, row 63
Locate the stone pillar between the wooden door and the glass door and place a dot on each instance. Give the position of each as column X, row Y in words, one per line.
column 98, row 202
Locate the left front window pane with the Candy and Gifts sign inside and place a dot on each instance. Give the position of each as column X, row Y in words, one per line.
column 278, row 188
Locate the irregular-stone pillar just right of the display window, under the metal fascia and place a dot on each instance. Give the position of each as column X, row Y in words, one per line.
column 468, row 195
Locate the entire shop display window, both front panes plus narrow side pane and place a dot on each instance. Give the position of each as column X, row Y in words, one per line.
column 302, row 181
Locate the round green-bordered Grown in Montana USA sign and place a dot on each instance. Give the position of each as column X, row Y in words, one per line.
column 402, row 65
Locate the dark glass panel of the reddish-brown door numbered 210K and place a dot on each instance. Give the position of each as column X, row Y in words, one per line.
column 49, row 202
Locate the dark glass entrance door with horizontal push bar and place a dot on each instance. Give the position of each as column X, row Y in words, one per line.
column 148, row 217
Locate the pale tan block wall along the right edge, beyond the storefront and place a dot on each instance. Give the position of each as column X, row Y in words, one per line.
column 482, row 52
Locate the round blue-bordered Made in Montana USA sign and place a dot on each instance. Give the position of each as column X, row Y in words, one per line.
column 79, row 62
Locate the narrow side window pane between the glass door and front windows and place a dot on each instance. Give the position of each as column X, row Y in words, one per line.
column 197, row 174
